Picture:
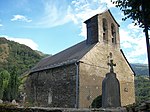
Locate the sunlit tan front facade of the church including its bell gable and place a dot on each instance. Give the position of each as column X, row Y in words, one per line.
column 93, row 66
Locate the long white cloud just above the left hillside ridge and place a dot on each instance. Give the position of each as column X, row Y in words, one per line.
column 28, row 42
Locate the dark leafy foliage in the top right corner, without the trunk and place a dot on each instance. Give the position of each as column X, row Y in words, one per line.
column 133, row 9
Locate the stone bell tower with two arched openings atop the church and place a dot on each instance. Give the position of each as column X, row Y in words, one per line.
column 103, row 28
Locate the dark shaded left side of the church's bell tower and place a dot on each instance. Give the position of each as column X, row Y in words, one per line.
column 92, row 30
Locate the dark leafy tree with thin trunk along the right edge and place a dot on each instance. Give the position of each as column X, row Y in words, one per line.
column 139, row 12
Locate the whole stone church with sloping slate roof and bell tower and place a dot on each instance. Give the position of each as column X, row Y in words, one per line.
column 73, row 78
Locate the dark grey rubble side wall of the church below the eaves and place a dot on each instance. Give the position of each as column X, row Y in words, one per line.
column 54, row 87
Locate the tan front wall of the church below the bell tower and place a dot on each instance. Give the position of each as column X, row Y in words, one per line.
column 93, row 68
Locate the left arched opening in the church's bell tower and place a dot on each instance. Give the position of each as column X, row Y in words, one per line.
column 105, row 30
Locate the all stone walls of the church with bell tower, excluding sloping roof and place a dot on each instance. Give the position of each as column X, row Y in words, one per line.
column 57, row 87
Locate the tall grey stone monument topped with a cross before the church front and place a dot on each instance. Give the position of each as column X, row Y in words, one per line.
column 111, row 89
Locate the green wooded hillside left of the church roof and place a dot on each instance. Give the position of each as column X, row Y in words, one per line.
column 13, row 54
